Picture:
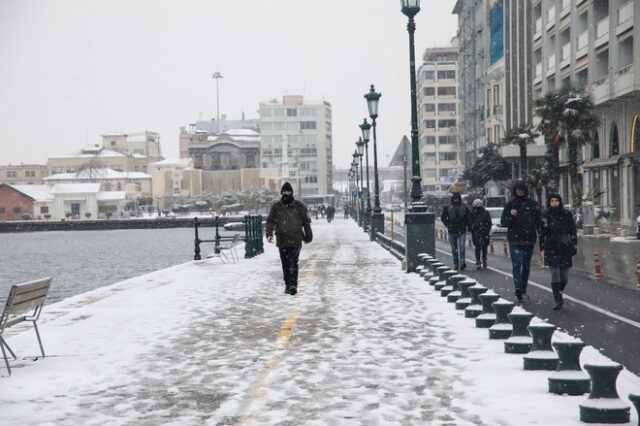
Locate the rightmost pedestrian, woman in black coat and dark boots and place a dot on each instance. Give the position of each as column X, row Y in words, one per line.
column 558, row 241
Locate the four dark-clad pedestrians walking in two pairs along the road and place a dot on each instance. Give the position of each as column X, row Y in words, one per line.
column 526, row 223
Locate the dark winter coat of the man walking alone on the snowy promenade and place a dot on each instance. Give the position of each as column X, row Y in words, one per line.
column 290, row 223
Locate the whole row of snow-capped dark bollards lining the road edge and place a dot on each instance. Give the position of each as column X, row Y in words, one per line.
column 533, row 340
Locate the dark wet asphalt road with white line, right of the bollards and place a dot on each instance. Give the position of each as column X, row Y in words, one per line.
column 604, row 316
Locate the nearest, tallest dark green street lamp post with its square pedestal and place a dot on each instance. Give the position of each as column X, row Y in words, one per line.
column 419, row 225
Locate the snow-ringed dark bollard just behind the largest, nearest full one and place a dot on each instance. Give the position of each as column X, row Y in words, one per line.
column 569, row 378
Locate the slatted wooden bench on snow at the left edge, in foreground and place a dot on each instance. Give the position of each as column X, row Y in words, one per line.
column 24, row 303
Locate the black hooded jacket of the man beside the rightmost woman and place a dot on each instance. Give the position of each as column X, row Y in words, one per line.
column 522, row 229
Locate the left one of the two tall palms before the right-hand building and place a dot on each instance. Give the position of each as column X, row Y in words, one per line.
column 549, row 110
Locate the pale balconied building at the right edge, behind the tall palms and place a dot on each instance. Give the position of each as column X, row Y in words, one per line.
column 591, row 43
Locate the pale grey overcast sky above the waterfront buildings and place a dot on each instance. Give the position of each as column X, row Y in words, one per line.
column 71, row 70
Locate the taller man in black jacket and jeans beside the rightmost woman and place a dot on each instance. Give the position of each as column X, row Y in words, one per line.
column 521, row 217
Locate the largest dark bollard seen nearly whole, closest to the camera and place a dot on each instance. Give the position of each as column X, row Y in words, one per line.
column 603, row 404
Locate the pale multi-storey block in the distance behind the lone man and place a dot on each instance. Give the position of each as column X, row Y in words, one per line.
column 296, row 136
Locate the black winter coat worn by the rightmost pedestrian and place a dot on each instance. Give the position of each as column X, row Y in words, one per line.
column 559, row 238
